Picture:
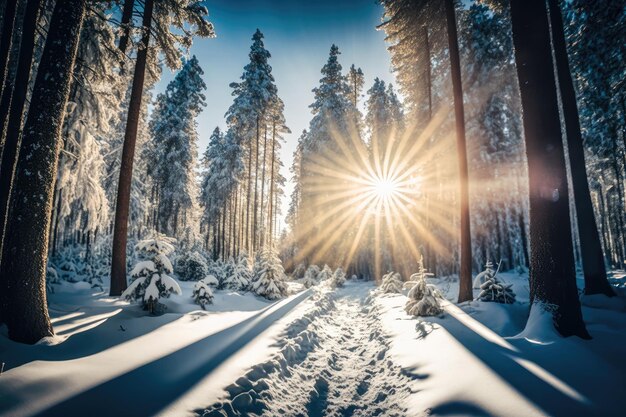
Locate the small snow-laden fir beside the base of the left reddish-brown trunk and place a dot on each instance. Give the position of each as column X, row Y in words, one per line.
column 150, row 276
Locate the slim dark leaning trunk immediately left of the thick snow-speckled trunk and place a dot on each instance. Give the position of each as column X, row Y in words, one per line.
column 15, row 106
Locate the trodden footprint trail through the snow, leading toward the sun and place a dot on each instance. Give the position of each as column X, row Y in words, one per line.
column 332, row 362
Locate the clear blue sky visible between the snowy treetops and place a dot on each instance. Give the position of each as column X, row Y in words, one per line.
column 298, row 34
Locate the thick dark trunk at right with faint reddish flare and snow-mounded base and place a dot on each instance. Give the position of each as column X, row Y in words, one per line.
column 552, row 275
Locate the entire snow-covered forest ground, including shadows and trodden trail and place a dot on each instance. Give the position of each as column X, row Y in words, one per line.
column 319, row 352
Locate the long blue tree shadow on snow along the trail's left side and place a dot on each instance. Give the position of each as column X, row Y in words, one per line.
column 146, row 390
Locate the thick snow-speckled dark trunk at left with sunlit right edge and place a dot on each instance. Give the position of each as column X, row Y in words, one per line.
column 26, row 243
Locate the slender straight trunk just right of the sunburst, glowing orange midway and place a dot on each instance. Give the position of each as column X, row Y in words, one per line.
column 465, row 271
